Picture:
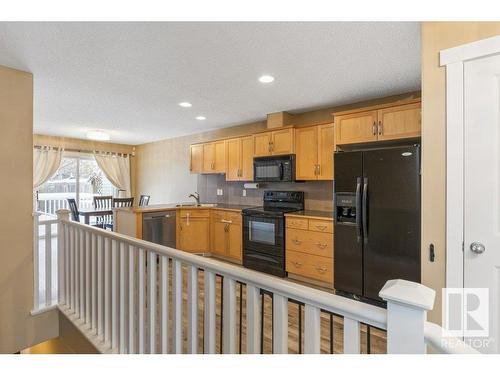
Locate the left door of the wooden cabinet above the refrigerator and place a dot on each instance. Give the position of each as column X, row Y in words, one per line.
column 356, row 128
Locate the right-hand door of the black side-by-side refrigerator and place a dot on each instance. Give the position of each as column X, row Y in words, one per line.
column 391, row 213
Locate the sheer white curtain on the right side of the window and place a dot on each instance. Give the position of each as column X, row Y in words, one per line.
column 117, row 170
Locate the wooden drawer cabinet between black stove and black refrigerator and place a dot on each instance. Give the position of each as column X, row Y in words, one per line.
column 309, row 249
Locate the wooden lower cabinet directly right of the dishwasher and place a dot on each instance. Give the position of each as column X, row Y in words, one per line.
column 193, row 231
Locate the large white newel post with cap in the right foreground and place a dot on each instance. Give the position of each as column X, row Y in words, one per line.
column 407, row 306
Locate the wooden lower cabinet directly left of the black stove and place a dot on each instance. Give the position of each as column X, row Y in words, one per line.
column 226, row 234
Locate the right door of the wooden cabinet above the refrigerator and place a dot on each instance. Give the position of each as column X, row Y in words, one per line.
column 399, row 122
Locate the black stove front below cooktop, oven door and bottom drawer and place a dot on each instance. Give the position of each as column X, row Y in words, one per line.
column 263, row 243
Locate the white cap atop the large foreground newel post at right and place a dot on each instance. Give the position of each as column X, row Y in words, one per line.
column 408, row 293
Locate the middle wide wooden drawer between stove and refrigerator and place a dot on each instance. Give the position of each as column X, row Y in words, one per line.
column 309, row 242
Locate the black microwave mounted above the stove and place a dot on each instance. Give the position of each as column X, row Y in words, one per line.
column 279, row 168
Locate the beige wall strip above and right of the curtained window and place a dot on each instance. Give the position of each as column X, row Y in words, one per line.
column 88, row 145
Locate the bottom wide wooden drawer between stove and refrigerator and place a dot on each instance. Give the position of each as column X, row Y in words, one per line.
column 312, row 266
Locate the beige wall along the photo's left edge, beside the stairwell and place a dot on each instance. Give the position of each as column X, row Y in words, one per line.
column 18, row 329
